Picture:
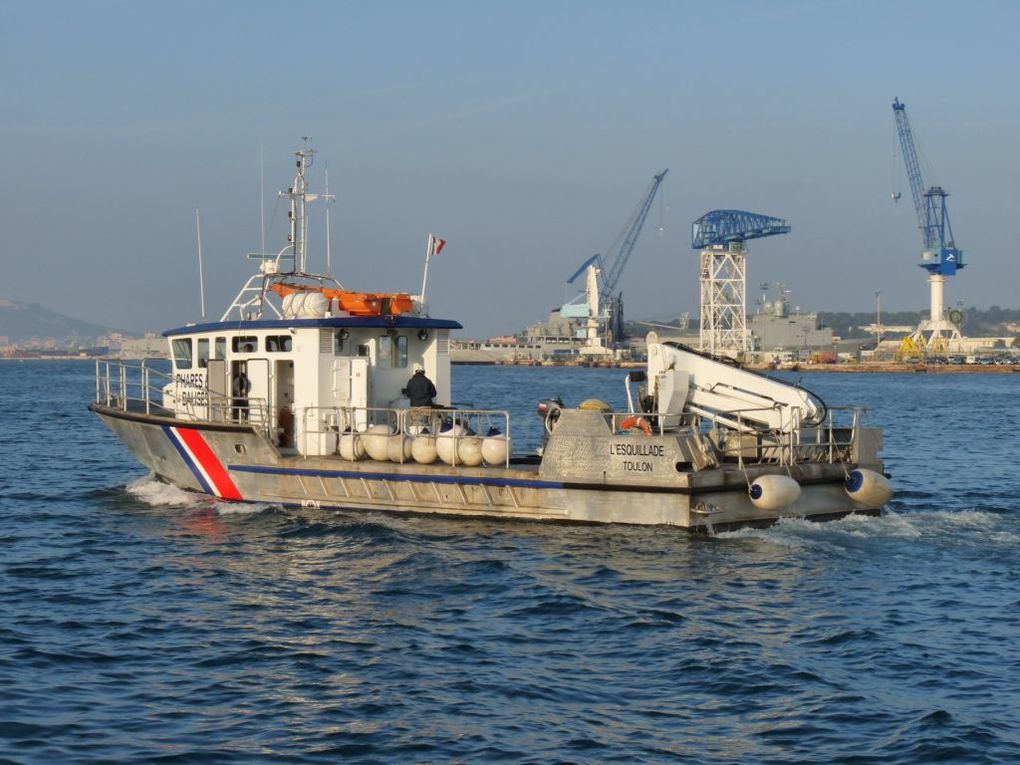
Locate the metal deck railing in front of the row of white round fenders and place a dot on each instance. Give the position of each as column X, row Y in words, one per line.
column 325, row 431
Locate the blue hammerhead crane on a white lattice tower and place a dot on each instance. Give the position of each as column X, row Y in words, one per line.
column 723, row 236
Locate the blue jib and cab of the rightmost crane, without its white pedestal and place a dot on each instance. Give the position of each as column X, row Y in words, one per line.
column 940, row 253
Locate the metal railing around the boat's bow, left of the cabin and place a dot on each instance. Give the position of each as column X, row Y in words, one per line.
column 141, row 389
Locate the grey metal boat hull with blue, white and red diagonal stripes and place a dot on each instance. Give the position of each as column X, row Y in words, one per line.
column 235, row 463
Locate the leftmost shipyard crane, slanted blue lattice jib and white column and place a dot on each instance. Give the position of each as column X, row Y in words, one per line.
column 604, row 274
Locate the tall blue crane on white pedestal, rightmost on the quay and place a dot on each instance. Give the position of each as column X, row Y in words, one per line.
column 940, row 256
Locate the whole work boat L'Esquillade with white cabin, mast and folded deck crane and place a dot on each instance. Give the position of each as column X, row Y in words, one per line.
column 296, row 397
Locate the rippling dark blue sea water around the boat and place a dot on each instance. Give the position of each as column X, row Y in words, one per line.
column 143, row 624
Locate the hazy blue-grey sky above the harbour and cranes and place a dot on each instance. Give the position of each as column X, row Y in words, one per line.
column 524, row 133
